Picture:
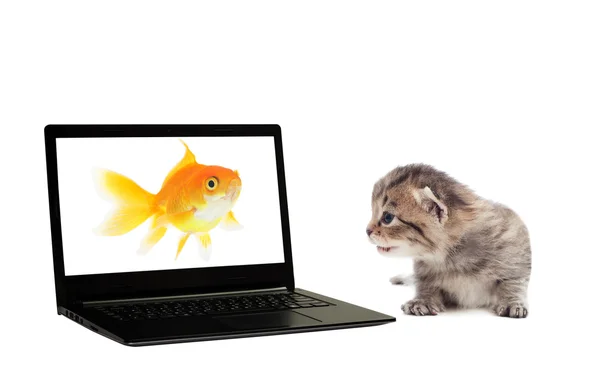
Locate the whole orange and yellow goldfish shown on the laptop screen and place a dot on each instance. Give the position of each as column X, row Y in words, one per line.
column 194, row 198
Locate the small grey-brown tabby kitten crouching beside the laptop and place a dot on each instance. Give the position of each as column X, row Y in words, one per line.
column 468, row 251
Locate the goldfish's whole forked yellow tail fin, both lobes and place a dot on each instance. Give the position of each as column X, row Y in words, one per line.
column 134, row 204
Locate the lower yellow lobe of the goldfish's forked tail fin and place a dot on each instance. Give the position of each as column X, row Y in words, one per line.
column 122, row 220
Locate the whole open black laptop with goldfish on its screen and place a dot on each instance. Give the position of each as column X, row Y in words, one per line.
column 178, row 233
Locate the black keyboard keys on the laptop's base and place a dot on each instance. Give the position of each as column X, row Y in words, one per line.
column 210, row 306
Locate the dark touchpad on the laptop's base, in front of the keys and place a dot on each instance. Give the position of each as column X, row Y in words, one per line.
column 254, row 321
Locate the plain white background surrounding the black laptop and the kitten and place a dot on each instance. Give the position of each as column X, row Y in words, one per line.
column 502, row 95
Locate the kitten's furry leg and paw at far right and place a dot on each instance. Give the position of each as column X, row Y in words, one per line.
column 512, row 298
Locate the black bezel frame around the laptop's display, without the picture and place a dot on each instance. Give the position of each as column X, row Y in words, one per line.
column 142, row 284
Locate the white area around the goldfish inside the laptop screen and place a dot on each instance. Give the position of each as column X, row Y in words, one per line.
column 147, row 161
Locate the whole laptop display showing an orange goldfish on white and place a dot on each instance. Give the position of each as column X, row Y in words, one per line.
column 147, row 204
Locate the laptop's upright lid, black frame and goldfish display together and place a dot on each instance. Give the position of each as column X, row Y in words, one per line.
column 158, row 210
